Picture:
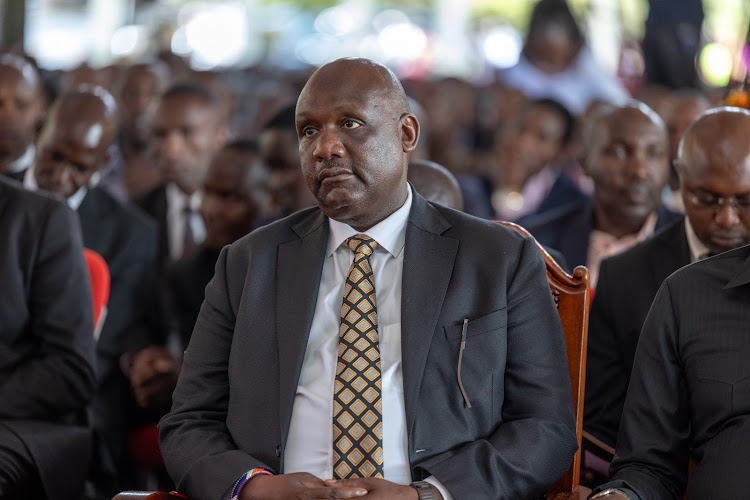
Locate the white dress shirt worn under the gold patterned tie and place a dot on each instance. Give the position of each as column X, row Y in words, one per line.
column 309, row 445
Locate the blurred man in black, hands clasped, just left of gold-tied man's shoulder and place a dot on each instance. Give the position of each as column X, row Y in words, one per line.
column 235, row 201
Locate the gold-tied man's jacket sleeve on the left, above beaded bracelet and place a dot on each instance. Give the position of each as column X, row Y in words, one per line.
column 197, row 447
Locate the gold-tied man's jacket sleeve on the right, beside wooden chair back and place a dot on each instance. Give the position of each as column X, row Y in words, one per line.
column 534, row 441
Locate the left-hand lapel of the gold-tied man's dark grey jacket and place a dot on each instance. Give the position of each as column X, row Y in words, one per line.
column 299, row 266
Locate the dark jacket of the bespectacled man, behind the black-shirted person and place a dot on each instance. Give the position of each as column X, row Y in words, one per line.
column 628, row 283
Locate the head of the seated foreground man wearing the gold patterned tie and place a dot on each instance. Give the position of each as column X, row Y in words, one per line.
column 355, row 132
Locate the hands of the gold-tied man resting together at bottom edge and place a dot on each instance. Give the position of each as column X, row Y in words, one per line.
column 304, row 486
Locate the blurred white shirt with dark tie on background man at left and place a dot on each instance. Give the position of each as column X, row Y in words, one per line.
column 178, row 204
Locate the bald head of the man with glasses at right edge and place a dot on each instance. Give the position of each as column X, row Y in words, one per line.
column 713, row 162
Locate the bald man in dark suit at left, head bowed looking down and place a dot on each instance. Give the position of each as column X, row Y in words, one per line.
column 72, row 147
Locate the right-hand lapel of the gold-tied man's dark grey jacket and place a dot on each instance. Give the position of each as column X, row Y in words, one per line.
column 428, row 265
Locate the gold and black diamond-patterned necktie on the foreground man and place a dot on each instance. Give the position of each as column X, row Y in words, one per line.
column 357, row 403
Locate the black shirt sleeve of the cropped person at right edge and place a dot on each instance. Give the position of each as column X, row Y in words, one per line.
column 653, row 442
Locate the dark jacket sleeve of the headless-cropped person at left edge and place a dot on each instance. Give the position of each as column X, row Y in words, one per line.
column 61, row 372
